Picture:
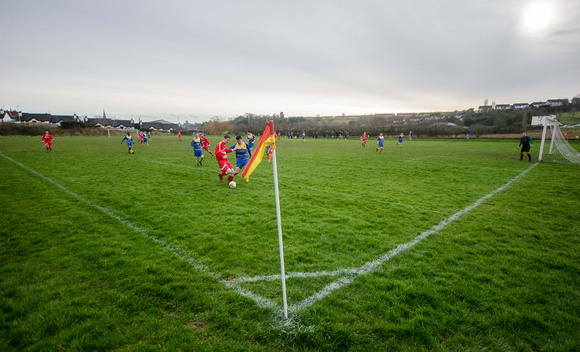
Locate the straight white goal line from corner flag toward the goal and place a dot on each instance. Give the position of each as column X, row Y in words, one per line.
column 372, row 266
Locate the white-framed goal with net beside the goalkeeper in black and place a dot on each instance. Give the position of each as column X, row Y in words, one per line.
column 559, row 150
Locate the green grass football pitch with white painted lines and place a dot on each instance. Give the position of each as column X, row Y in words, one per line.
column 438, row 245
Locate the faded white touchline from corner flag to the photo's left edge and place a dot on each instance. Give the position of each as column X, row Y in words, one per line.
column 181, row 254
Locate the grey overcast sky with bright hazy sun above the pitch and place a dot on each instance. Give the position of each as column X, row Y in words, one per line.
column 204, row 58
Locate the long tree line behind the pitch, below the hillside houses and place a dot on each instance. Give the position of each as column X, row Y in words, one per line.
column 435, row 124
